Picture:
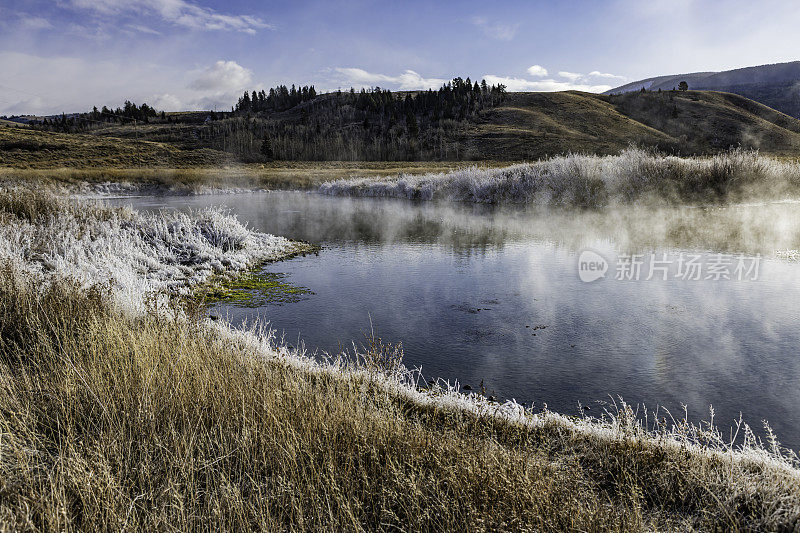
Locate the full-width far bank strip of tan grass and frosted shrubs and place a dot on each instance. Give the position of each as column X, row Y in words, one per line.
column 634, row 176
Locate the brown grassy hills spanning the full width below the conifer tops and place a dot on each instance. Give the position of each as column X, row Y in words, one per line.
column 524, row 126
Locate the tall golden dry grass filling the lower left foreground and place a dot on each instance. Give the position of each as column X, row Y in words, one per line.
column 110, row 423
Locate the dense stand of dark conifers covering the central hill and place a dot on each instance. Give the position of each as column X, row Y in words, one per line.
column 370, row 124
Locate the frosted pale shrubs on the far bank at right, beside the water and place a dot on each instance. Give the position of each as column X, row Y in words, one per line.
column 588, row 180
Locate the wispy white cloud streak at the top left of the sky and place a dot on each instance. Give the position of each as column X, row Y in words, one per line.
column 177, row 12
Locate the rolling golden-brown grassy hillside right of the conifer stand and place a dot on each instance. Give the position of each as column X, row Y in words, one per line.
column 536, row 125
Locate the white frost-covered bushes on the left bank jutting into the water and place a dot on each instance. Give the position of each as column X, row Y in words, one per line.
column 138, row 254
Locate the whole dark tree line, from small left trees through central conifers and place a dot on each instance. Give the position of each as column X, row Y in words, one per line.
column 291, row 123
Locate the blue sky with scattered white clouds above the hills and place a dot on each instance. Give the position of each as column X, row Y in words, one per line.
column 69, row 55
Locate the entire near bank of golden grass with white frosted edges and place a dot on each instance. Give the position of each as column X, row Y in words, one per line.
column 112, row 419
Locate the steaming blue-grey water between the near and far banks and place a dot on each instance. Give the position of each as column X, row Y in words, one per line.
column 477, row 294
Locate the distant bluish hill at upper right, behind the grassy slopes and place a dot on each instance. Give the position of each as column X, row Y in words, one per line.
column 777, row 85
